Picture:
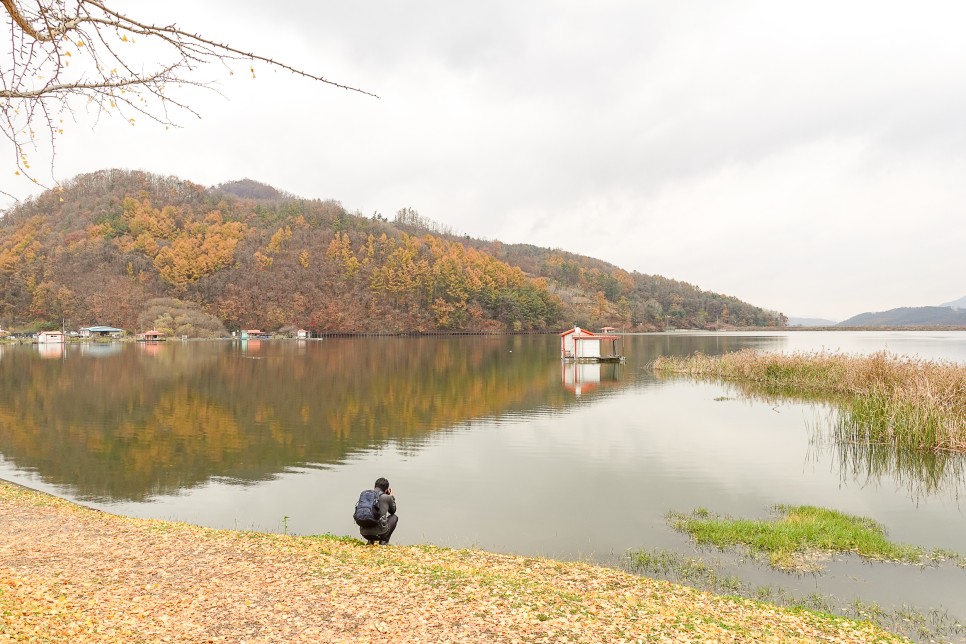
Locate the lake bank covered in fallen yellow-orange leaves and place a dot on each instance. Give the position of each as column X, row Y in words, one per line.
column 69, row 573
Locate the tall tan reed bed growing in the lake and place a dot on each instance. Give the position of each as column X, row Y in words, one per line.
column 887, row 399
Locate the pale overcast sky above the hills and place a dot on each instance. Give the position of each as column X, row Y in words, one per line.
column 805, row 157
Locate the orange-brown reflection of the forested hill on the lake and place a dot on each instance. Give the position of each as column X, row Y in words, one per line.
column 142, row 421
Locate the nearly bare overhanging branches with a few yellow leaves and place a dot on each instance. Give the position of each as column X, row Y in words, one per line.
column 65, row 54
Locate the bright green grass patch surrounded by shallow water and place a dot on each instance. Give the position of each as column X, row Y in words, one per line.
column 798, row 536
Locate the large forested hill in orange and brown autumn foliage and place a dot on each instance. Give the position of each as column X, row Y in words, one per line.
column 136, row 250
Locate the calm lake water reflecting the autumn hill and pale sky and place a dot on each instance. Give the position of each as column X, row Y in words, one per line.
column 488, row 442
